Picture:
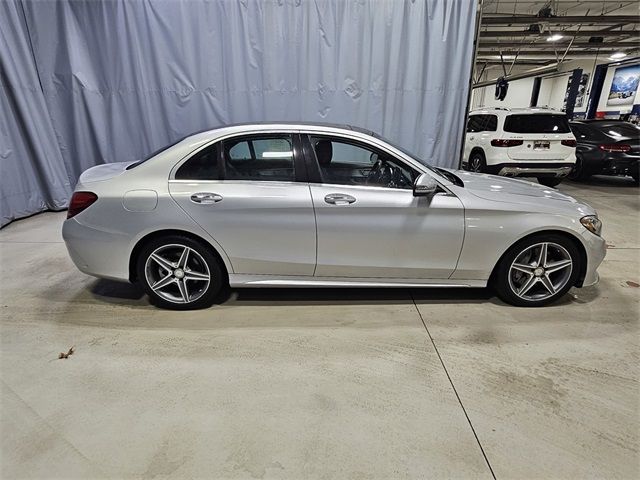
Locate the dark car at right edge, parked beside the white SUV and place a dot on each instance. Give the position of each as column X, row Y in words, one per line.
column 605, row 147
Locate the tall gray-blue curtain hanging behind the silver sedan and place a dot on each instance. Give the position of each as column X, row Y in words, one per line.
column 91, row 82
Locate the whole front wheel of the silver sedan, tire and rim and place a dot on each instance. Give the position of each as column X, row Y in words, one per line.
column 537, row 271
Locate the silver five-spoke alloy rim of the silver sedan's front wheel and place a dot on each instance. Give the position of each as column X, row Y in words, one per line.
column 540, row 271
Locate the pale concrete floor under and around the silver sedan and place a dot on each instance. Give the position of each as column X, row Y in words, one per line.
column 322, row 383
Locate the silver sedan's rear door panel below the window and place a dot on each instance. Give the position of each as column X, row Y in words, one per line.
column 264, row 227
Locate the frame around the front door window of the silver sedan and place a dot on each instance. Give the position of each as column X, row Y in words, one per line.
column 313, row 165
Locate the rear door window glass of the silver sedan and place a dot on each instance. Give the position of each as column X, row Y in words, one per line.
column 264, row 157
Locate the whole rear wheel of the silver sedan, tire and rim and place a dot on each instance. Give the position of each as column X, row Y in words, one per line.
column 200, row 261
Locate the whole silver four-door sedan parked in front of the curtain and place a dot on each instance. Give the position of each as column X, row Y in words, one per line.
column 297, row 205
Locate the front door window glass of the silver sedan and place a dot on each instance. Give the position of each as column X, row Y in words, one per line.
column 344, row 162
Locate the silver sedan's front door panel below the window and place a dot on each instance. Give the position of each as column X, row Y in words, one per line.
column 386, row 232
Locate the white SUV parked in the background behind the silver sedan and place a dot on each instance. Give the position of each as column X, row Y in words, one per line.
column 522, row 142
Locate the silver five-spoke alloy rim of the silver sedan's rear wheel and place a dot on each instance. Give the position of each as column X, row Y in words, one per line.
column 177, row 273
